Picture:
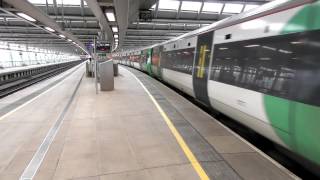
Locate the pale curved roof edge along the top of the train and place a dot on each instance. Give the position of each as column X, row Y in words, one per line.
column 266, row 9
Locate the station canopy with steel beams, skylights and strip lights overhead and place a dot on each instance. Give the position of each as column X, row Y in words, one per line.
column 122, row 24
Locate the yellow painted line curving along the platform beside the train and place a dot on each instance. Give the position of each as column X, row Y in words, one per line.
column 193, row 160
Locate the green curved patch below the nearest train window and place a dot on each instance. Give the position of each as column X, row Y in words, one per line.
column 297, row 125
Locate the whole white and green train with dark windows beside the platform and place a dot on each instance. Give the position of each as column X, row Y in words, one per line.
column 260, row 67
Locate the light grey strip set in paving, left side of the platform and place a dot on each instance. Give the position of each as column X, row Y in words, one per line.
column 41, row 152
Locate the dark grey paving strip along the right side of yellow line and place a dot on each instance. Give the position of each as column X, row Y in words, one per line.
column 214, row 165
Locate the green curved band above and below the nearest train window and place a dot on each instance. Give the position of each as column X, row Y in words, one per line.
column 297, row 124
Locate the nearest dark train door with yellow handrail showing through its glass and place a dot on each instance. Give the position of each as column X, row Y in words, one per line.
column 201, row 67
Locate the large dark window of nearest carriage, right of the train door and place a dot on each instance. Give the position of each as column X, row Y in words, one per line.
column 281, row 66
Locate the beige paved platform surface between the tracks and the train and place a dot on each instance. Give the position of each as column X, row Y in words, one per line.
column 121, row 134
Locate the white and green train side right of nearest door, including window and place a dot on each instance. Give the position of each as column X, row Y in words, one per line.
column 260, row 77
